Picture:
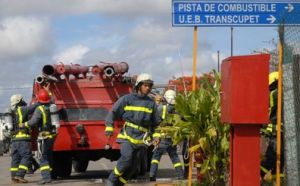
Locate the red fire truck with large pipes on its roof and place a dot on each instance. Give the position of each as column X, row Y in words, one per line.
column 84, row 95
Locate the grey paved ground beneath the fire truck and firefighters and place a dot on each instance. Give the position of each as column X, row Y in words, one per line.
column 97, row 173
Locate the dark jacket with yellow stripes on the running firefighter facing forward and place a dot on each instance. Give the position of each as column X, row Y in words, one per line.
column 140, row 115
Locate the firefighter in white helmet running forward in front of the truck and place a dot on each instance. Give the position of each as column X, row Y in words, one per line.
column 140, row 115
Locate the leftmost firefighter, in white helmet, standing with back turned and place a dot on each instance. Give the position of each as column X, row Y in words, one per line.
column 21, row 139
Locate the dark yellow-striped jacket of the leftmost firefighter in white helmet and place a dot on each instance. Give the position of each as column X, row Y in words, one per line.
column 21, row 115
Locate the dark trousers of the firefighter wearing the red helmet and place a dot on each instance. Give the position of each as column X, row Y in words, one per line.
column 45, row 157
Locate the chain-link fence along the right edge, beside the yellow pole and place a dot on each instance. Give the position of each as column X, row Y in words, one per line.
column 290, row 37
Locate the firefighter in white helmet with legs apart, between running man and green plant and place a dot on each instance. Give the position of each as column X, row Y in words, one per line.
column 166, row 143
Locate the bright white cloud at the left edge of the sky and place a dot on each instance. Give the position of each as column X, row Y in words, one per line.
column 23, row 36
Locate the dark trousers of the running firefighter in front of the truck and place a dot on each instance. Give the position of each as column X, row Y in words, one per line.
column 126, row 165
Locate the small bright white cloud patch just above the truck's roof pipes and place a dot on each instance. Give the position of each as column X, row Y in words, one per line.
column 73, row 54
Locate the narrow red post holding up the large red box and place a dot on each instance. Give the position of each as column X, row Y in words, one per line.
column 245, row 155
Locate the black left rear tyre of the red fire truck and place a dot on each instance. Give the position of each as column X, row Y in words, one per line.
column 62, row 165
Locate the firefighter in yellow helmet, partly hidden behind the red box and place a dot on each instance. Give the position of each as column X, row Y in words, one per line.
column 268, row 164
